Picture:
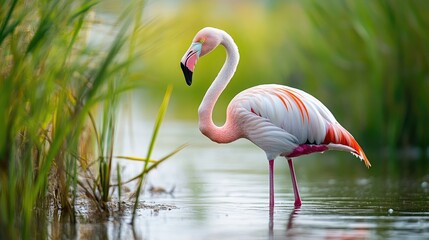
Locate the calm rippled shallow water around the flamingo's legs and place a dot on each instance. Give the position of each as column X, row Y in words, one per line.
column 221, row 192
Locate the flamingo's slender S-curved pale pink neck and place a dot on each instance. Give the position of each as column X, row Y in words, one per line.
column 226, row 133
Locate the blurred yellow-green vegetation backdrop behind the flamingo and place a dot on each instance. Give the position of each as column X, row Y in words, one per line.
column 367, row 61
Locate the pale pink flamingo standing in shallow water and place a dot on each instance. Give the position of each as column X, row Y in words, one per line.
column 281, row 120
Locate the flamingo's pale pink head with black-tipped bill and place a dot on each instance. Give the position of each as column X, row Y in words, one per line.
column 204, row 42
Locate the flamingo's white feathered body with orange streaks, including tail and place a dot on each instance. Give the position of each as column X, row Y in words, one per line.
column 289, row 122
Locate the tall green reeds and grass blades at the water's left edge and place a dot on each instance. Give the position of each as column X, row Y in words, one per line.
column 58, row 103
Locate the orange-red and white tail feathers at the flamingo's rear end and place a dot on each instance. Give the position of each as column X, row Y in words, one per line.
column 338, row 138
